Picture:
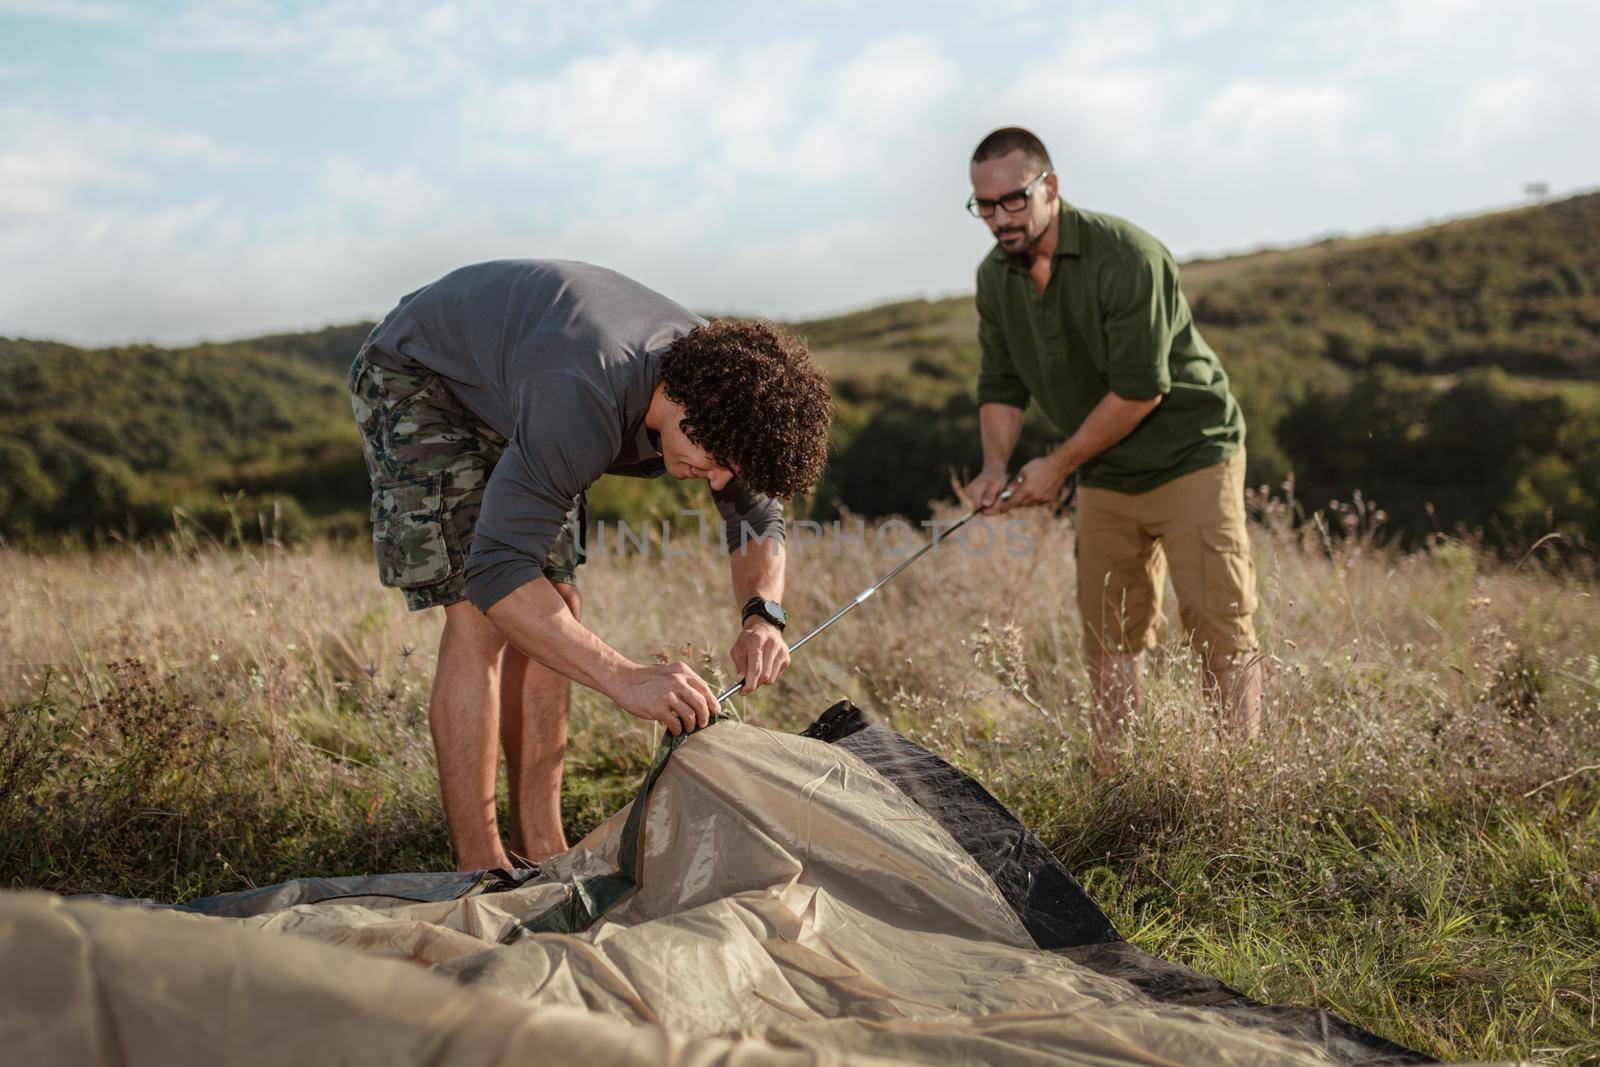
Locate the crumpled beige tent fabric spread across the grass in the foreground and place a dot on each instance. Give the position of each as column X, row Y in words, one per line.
column 796, row 908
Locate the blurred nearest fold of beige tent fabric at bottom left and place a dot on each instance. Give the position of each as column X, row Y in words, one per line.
column 100, row 986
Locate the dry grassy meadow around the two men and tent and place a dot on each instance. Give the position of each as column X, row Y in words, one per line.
column 1415, row 841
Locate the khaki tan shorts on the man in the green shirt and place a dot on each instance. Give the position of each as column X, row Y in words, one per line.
column 1194, row 526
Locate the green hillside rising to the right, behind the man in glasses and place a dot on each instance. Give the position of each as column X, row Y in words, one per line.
column 1450, row 374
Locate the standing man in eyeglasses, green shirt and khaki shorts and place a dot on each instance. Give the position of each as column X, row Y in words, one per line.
column 1082, row 314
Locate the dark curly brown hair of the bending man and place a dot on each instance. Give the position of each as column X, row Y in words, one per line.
column 754, row 401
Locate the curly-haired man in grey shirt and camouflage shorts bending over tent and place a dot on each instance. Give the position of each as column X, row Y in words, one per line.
column 489, row 404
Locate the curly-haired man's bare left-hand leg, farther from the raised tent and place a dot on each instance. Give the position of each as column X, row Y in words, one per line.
column 463, row 714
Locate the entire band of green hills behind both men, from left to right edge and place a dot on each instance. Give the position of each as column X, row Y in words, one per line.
column 1452, row 374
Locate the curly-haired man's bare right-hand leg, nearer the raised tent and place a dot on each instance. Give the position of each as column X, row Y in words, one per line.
column 535, row 703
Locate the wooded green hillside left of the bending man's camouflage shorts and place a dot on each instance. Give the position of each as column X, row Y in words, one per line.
column 114, row 439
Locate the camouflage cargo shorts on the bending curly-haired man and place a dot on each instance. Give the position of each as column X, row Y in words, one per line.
column 430, row 460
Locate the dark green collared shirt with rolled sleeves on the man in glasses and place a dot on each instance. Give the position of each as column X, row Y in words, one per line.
column 1113, row 319
